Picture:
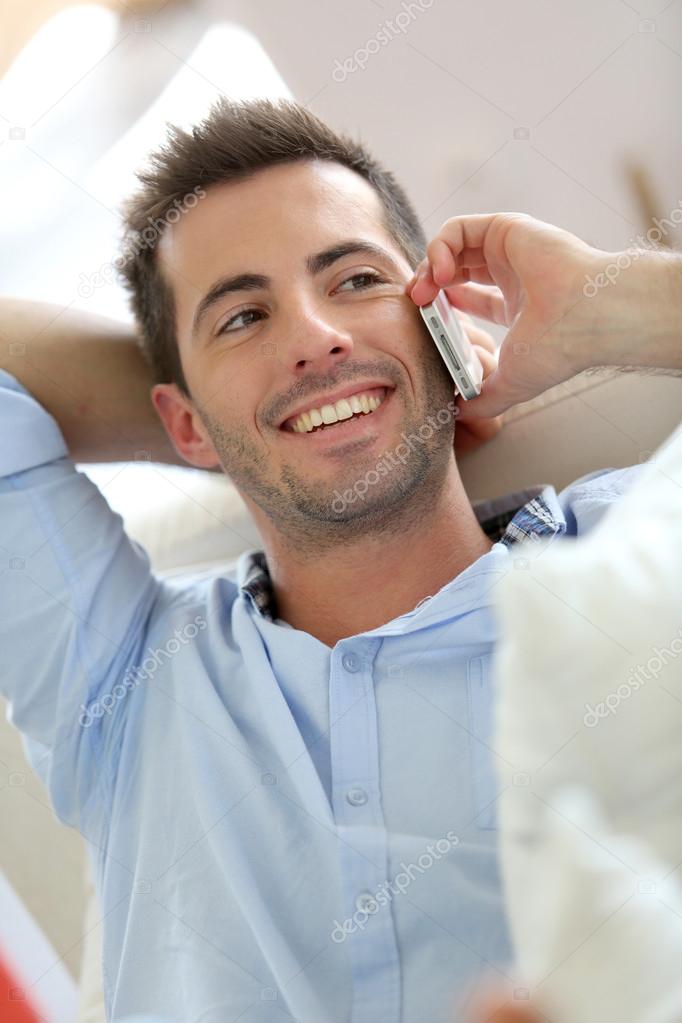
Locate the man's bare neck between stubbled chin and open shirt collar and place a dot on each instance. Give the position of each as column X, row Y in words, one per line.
column 355, row 588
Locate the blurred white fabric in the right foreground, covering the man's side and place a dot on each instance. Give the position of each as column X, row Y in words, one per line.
column 588, row 726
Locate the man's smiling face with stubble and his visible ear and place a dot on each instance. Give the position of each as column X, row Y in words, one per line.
column 296, row 335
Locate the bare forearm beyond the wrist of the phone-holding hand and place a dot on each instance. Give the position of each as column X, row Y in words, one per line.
column 638, row 320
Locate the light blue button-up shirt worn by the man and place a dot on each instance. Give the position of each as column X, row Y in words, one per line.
column 279, row 830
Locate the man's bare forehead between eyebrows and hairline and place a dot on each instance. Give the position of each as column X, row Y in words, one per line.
column 265, row 223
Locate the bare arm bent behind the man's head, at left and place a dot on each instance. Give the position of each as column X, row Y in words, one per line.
column 89, row 373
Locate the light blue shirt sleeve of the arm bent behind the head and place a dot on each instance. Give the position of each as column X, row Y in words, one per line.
column 76, row 598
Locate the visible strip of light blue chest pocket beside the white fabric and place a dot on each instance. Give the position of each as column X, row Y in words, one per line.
column 484, row 781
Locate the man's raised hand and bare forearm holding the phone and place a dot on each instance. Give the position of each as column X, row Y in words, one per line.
column 568, row 307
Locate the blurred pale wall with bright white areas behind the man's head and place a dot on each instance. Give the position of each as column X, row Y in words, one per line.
column 568, row 111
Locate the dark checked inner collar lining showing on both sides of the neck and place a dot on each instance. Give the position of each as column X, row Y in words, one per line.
column 507, row 520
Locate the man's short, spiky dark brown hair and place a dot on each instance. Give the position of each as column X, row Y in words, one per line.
column 236, row 141
